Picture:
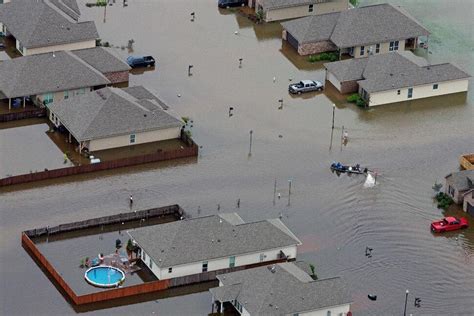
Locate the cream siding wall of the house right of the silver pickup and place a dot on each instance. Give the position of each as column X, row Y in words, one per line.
column 423, row 91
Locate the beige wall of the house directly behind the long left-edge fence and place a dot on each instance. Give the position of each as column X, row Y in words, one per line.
column 140, row 138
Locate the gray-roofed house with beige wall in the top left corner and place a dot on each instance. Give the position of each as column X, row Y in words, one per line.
column 42, row 26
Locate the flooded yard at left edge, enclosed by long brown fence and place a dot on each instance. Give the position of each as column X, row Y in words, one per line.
column 28, row 149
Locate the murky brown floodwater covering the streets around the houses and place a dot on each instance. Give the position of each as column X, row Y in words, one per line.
column 411, row 145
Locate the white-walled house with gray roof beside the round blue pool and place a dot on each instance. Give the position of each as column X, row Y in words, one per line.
column 212, row 243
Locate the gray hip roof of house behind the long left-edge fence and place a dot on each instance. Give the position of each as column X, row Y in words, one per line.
column 109, row 112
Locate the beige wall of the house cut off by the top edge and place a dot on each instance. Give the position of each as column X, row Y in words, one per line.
column 301, row 11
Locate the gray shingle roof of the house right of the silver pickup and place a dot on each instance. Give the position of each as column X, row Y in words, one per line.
column 392, row 71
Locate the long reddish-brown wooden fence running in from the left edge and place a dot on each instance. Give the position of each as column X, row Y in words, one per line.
column 190, row 151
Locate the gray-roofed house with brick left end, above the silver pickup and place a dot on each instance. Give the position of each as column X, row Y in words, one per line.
column 359, row 32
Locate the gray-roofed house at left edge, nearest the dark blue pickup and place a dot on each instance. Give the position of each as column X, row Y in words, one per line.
column 49, row 77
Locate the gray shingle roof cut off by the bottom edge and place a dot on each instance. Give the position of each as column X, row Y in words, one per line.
column 285, row 291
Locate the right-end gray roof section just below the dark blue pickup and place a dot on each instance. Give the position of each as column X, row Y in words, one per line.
column 103, row 59
